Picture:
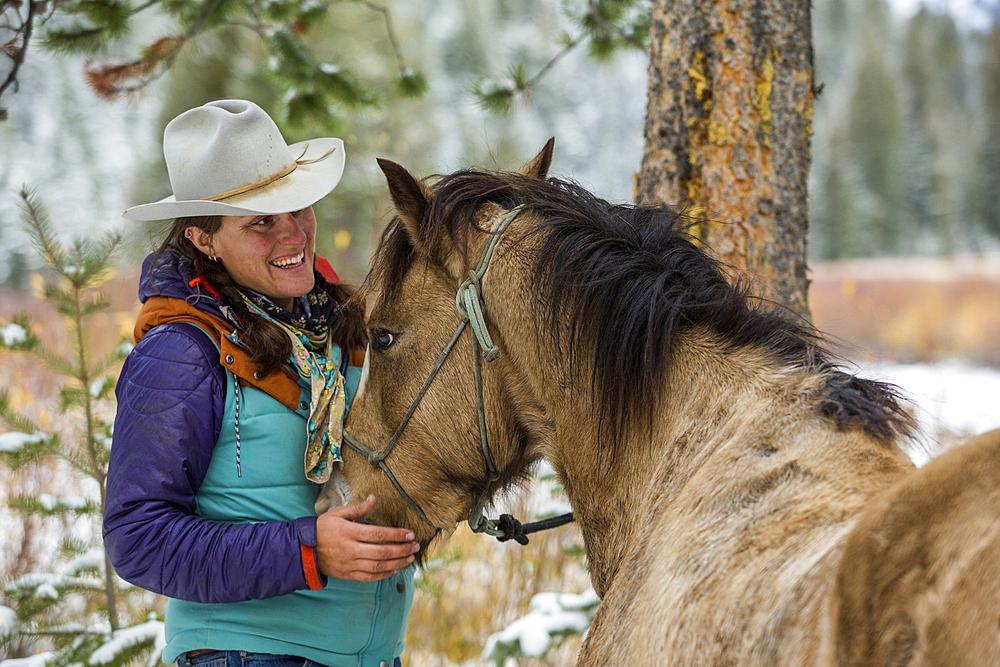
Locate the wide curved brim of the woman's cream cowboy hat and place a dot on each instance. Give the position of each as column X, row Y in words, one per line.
column 303, row 187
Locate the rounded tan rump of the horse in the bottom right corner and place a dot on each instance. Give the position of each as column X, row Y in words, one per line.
column 919, row 581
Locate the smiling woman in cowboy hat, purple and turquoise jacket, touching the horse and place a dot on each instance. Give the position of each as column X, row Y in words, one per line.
column 229, row 416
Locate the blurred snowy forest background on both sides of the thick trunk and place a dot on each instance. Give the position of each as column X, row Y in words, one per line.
column 906, row 153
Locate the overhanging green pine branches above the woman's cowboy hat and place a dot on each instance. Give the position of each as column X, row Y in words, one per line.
column 279, row 27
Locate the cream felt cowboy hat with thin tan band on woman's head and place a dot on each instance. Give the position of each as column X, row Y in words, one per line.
column 228, row 158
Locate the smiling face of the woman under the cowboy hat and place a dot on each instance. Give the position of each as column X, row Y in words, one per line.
column 270, row 254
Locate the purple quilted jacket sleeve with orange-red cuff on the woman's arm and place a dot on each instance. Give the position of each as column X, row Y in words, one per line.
column 171, row 397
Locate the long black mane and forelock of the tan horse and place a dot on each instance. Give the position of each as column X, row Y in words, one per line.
column 629, row 278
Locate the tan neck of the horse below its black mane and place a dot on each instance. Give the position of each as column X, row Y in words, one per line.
column 613, row 487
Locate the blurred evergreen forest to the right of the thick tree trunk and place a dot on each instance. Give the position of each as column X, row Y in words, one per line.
column 906, row 155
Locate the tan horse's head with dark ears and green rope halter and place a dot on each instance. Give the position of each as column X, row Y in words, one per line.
column 413, row 432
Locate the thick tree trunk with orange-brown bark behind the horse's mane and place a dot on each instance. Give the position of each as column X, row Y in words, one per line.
column 728, row 132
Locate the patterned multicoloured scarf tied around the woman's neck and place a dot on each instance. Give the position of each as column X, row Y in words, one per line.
column 316, row 360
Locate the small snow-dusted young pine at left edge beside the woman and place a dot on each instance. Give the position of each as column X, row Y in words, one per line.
column 80, row 613
